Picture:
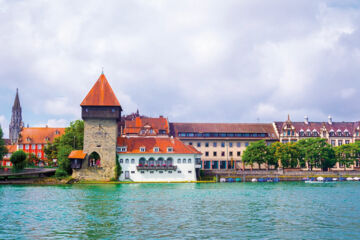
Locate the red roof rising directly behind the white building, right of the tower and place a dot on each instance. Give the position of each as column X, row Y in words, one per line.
column 136, row 125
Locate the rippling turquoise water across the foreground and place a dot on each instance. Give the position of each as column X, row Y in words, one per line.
column 182, row 211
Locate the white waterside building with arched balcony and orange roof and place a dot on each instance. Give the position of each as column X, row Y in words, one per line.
column 157, row 159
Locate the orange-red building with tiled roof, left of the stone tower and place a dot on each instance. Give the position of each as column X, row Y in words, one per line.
column 33, row 140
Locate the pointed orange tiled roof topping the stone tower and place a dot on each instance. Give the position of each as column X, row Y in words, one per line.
column 101, row 94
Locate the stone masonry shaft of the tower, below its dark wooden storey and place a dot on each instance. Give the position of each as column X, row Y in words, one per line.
column 100, row 136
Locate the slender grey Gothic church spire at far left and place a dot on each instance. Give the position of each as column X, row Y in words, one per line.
column 16, row 120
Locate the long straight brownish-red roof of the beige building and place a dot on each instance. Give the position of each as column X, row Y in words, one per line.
column 223, row 128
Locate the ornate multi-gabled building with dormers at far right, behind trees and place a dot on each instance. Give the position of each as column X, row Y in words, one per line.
column 336, row 133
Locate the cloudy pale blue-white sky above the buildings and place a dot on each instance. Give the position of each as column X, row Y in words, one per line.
column 191, row 61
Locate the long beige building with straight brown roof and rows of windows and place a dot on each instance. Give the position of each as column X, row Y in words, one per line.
column 222, row 144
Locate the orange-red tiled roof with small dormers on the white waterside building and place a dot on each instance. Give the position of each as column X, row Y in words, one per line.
column 133, row 145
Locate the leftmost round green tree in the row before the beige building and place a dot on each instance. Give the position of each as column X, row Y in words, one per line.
column 255, row 153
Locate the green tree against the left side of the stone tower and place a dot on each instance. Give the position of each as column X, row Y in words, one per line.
column 72, row 139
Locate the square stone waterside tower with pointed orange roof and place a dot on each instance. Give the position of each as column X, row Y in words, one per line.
column 101, row 111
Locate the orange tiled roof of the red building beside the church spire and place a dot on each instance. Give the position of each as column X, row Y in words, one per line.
column 39, row 135
